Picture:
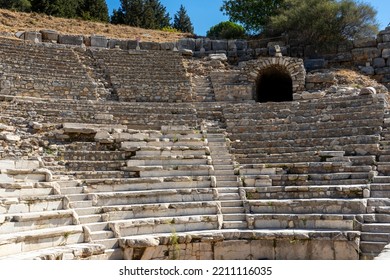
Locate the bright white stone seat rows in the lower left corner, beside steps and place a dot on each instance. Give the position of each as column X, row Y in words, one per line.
column 32, row 213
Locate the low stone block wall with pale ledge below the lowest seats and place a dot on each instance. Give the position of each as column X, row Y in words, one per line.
column 246, row 245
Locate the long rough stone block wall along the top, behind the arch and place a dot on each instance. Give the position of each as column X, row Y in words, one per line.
column 372, row 55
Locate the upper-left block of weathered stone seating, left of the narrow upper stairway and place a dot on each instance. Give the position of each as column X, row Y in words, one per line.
column 43, row 71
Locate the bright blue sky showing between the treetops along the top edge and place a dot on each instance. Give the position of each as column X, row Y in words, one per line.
column 206, row 13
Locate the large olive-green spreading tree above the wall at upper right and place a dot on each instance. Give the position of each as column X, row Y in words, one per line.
column 325, row 22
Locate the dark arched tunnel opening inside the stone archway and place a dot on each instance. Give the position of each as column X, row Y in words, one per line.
column 274, row 84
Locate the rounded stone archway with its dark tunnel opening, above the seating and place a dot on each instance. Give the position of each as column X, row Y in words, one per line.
column 274, row 79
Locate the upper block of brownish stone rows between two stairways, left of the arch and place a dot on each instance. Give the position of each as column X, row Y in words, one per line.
column 146, row 76
